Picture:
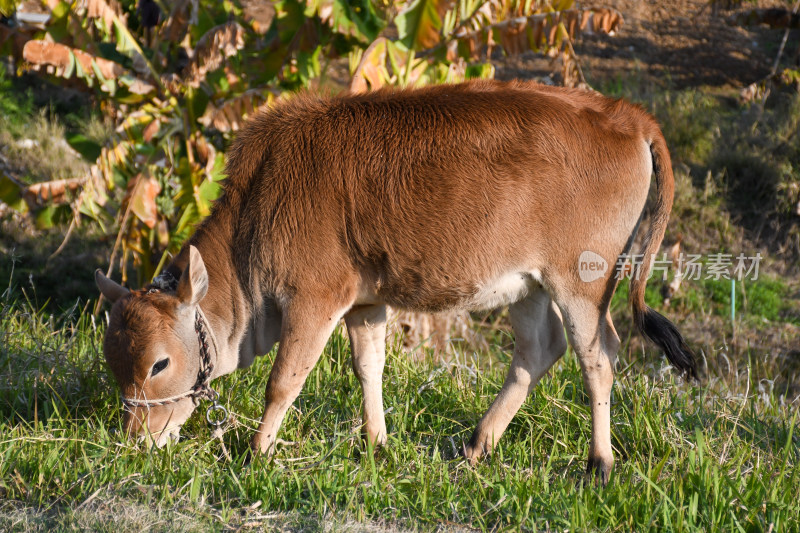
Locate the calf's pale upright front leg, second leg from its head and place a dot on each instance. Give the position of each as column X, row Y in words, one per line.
column 366, row 327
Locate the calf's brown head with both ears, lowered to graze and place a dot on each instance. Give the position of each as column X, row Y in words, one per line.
column 152, row 348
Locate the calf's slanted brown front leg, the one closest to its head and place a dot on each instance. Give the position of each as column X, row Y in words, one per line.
column 305, row 329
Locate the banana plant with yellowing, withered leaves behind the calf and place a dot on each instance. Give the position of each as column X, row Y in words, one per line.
column 180, row 77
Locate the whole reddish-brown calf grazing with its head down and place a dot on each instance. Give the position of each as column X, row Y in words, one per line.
column 466, row 196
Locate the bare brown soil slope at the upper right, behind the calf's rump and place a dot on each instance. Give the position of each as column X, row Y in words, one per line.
column 669, row 43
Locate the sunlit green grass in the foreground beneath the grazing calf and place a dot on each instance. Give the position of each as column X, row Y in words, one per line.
column 688, row 457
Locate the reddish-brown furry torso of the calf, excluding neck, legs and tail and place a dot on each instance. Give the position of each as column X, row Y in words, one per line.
column 428, row 195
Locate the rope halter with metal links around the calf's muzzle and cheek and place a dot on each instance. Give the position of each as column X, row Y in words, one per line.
column 216, row 414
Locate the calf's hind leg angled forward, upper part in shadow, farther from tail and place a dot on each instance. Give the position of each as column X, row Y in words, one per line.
column 539, row 343
